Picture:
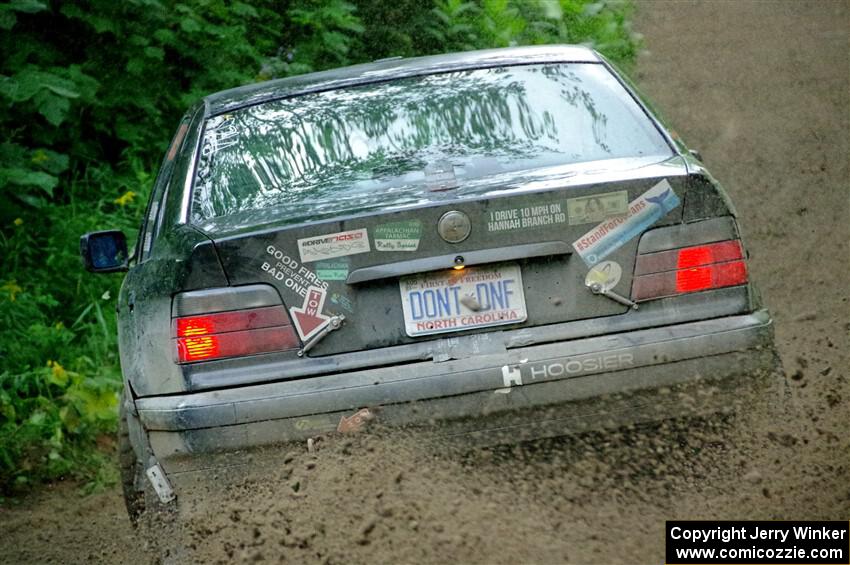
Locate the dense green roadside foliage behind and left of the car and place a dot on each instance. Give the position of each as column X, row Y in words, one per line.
column 90, row 92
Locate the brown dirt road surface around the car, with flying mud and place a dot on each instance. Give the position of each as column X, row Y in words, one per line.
column 762, row 90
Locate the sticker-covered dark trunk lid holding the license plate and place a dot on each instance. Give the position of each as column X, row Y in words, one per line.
column 532, row 240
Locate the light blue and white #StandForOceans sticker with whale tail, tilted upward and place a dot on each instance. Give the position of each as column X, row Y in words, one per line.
column 612, row 234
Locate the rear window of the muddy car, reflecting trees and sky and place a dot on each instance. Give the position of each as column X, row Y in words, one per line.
column 393, row 143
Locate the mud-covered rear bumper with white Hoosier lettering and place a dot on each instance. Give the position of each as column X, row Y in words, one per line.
column 516, row 393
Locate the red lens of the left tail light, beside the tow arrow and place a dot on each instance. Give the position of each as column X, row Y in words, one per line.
column 233, row 334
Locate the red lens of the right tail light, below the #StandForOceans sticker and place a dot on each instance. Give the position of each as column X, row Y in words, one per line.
column 689, row 269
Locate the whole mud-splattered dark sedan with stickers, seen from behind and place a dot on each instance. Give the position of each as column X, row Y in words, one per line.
column 506, row 242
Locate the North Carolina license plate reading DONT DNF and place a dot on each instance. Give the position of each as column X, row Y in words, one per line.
column 466, row 299
